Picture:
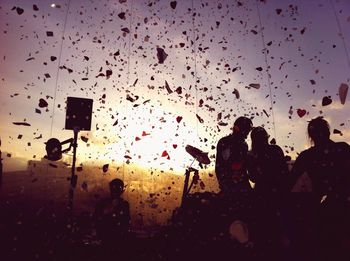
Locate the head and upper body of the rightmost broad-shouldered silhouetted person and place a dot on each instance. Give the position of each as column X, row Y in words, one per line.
column 327, row 163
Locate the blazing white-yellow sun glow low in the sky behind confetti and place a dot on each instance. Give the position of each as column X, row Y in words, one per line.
column 154, row 140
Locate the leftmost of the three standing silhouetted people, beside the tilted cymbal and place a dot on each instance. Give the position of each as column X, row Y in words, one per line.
column 231, row 154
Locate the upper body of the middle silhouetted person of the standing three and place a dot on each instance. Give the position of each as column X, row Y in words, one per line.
column 266, row 164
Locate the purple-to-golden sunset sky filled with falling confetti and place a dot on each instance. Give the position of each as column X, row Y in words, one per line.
column 146, row 112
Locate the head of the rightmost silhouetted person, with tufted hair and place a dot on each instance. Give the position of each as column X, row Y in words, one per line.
column 318, row 130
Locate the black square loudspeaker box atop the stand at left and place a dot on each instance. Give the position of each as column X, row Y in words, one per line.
column 78, row 113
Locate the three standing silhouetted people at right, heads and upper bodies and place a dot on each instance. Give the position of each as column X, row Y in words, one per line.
column 326, row 163
